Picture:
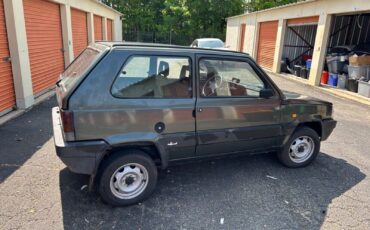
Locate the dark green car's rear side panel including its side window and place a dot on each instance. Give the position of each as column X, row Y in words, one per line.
column 150, row 99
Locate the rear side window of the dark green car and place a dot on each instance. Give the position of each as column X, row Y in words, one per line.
column 154, row 77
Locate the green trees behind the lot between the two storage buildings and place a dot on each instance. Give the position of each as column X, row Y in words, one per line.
column 175, row 21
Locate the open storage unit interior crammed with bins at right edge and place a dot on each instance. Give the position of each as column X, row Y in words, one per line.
column 349, row 35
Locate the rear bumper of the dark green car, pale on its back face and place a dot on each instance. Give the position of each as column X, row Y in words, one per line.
column 80, row 157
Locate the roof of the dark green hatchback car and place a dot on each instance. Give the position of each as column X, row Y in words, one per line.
column 157, row 46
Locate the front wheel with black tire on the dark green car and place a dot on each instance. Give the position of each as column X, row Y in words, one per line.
column 301, row 149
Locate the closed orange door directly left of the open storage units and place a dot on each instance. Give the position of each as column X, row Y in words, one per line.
column 266, row 43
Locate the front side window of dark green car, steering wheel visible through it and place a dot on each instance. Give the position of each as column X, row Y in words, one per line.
column 228, row 78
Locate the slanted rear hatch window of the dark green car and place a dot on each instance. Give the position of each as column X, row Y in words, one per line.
column 79, row 66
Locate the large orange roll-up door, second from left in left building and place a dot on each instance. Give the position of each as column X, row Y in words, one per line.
column 45, row 46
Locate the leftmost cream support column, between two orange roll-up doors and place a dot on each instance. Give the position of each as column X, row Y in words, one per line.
column 18, row 47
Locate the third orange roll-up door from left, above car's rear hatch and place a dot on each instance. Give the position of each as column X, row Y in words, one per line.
column 79, row 31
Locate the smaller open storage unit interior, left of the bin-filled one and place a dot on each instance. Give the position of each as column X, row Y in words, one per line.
column 298, row 48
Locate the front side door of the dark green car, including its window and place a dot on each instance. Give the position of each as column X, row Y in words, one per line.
column 230, row 114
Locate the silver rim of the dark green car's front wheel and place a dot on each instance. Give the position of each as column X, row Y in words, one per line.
column 301, row 149
